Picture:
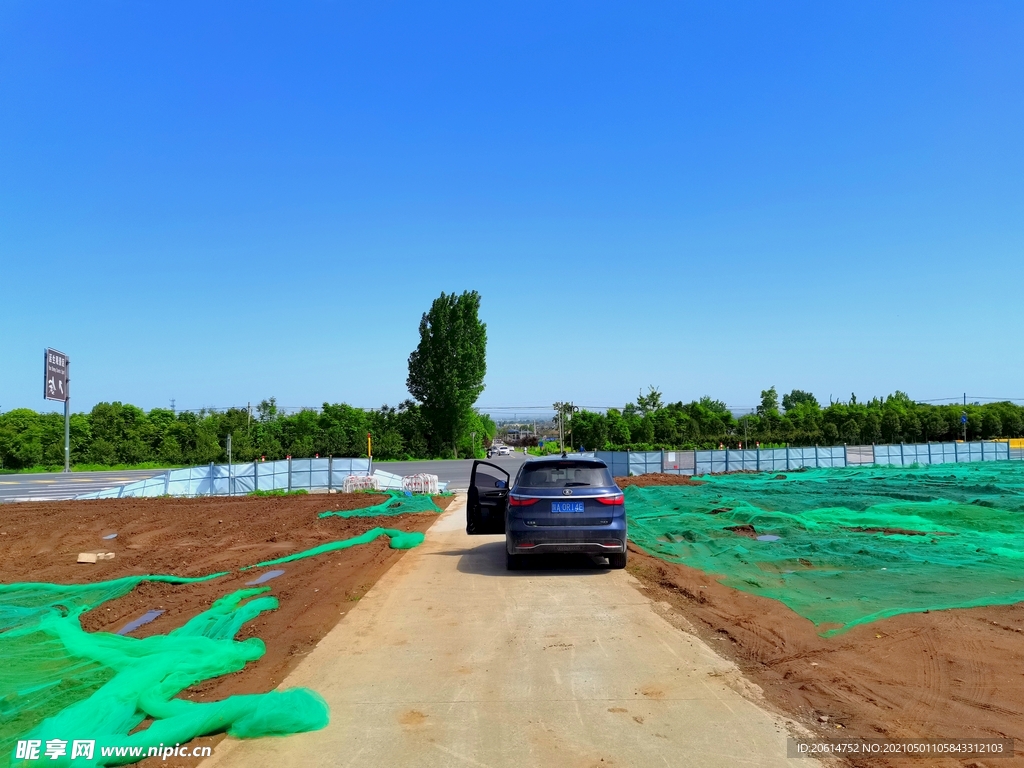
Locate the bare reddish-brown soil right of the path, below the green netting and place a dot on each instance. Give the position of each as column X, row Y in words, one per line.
column 938, row 675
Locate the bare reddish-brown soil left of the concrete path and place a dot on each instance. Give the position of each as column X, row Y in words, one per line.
column 40, row 542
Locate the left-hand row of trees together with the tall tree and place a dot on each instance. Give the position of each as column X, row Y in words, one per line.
column 446, row 377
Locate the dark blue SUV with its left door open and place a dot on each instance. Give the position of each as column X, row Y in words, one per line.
column 556, row 505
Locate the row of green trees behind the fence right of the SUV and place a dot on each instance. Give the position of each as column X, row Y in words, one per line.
column 797, row 420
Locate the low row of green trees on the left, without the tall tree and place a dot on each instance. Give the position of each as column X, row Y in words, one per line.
column 117, row 434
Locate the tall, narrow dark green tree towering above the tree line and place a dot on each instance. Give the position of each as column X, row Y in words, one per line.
column 447, row 370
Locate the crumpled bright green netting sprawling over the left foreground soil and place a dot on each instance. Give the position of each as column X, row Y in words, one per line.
column 60, row 682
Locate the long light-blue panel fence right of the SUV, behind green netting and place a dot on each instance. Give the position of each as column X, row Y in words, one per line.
column 774, row 460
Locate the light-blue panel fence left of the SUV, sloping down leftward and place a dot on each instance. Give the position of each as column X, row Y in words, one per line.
column 238, row 480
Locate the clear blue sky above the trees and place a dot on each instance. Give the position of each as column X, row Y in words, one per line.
column 222, row 202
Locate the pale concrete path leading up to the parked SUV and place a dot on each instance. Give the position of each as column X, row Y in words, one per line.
column 451, row 661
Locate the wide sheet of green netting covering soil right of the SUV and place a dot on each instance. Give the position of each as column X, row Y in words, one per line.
column 848, row 546
